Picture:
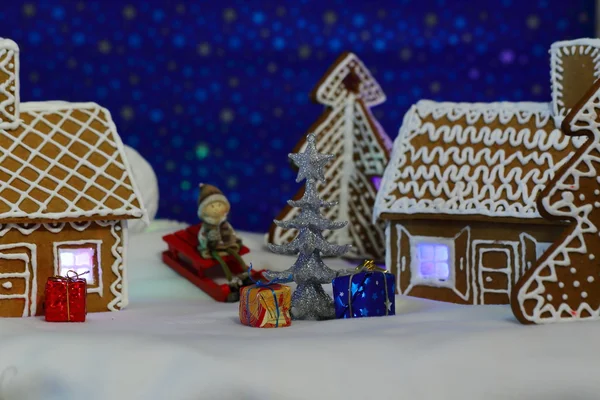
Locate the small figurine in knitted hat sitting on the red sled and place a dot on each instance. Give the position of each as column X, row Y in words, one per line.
column 217, row 237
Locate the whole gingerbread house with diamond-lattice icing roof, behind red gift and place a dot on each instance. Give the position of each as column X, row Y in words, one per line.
column 66, row 194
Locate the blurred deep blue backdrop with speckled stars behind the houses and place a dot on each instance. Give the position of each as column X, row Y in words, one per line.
column 217, row 91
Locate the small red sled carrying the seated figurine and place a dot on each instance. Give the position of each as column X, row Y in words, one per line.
column 184, row 258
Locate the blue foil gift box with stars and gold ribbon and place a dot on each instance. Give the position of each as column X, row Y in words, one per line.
column 364, row 294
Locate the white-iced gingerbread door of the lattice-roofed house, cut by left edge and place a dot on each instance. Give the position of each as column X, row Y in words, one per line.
column 18, row 289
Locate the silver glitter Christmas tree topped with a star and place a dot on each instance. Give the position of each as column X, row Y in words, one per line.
column 309, row 301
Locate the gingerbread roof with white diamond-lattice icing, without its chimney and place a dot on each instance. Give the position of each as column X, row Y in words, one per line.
column 65, row 161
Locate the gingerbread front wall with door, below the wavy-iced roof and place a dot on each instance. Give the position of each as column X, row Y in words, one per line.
column 486, row 263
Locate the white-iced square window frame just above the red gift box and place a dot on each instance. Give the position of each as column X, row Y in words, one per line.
column 95, row 273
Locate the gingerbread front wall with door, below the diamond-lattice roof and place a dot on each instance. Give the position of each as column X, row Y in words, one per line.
column 28, row 260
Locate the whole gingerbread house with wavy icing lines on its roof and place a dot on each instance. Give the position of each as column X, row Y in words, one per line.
column 459, row 196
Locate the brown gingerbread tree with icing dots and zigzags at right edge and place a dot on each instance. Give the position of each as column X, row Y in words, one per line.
column 564, row 284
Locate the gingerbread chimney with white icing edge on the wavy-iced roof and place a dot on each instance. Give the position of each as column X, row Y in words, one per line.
column 575, row 66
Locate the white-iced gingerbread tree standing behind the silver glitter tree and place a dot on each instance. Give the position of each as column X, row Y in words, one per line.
column 349, row 131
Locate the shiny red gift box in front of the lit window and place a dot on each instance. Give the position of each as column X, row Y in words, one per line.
column 65, row 299
